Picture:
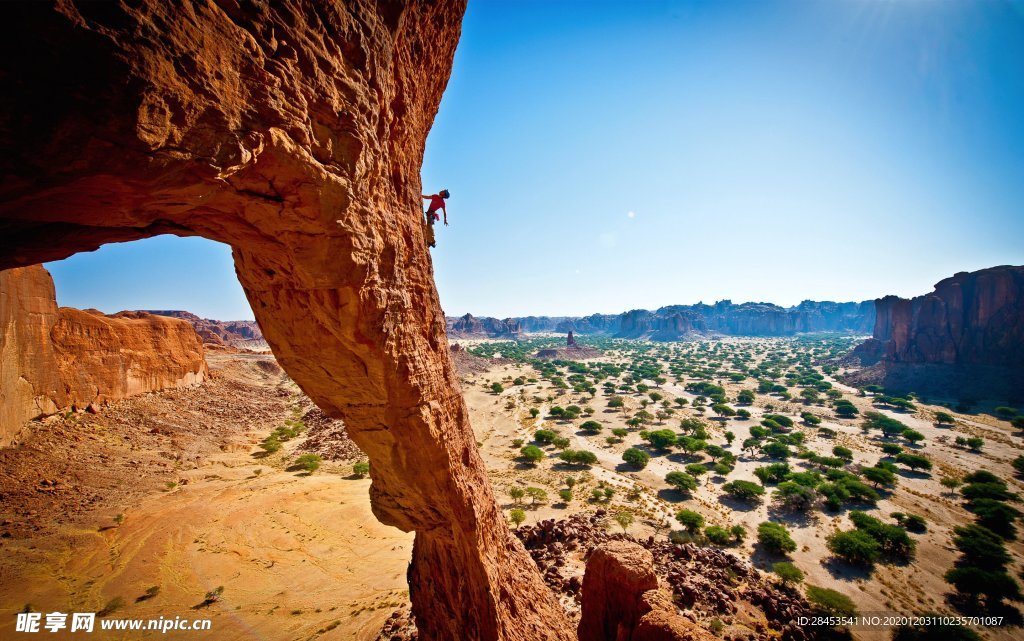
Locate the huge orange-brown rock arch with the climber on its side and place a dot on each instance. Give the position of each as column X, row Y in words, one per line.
column 293, row 132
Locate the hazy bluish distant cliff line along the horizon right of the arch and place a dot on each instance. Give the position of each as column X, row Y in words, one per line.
column 682, row 322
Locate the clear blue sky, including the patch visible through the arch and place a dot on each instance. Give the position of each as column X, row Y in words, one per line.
column 609, row 156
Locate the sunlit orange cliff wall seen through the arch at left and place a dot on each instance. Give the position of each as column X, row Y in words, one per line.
column 55, row 359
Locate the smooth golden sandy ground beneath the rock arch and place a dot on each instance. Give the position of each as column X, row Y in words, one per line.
column 298, row 557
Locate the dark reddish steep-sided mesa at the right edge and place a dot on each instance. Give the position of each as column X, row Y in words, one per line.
column 965, row 338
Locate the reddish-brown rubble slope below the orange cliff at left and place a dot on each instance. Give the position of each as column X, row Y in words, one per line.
column 76, row 465
